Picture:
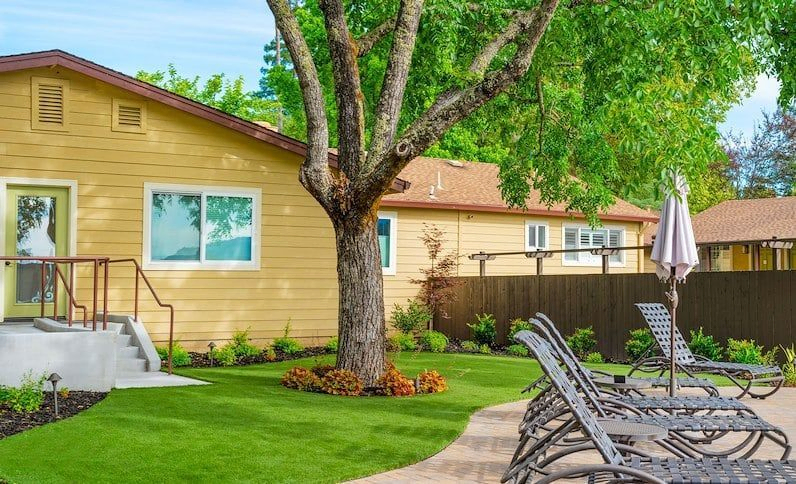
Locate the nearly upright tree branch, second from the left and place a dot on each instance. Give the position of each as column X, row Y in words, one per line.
column 347, row 89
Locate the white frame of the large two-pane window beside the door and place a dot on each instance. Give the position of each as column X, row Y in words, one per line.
column 204, row 191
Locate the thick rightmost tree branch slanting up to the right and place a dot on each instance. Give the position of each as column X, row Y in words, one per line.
column 455, row 105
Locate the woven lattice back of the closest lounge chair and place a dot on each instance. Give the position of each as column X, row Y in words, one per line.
column 580, row 410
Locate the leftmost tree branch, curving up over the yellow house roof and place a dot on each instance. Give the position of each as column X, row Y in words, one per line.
column 315, row 174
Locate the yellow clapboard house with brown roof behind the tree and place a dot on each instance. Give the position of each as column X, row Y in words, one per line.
column 97, row 164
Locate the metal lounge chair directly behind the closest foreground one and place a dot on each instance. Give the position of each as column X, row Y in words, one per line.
column 688, row 433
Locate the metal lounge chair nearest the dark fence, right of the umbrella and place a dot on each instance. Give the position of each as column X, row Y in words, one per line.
column 744, row 376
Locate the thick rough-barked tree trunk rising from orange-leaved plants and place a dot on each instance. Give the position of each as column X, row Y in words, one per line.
column 361, row 316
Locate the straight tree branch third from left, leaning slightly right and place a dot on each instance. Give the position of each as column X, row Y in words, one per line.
column 395, row 77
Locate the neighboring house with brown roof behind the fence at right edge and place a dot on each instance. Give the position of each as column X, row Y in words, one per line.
column 731, row 235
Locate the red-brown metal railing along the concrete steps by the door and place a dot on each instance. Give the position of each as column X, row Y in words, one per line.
column 69, row 286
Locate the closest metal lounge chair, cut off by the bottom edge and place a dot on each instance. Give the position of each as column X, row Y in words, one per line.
column 624, row 463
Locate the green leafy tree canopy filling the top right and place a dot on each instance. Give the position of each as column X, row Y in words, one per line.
column 616, row 91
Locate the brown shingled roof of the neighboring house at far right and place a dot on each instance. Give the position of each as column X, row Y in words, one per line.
column 747, row 220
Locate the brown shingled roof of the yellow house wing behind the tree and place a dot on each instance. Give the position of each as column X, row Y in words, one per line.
column 474, row 187
